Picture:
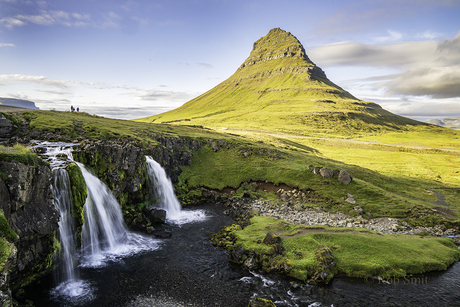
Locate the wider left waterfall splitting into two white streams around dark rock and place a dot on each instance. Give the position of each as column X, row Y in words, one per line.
column 104, row 235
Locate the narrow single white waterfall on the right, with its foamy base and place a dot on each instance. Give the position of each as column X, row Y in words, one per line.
column 168, row 201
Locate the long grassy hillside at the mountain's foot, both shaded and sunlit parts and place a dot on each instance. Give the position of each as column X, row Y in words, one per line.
column 387, row 181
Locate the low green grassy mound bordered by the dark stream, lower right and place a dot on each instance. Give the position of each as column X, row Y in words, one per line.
column 358, row 253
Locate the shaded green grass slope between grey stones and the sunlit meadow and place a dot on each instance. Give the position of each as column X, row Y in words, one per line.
column 379, row 194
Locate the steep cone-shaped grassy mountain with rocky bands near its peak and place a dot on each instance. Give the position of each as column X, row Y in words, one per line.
column 278, row 88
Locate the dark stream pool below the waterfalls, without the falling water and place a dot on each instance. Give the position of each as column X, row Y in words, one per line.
column 188, row 271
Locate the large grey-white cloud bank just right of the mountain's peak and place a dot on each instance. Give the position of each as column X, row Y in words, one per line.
column 430, row 68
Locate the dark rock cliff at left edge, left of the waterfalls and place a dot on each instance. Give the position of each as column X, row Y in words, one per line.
column 26, row 200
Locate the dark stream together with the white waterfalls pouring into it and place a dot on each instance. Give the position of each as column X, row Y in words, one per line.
column 129, row 269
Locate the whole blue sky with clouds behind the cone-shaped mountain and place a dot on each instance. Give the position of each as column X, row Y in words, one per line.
column 135, row 58
